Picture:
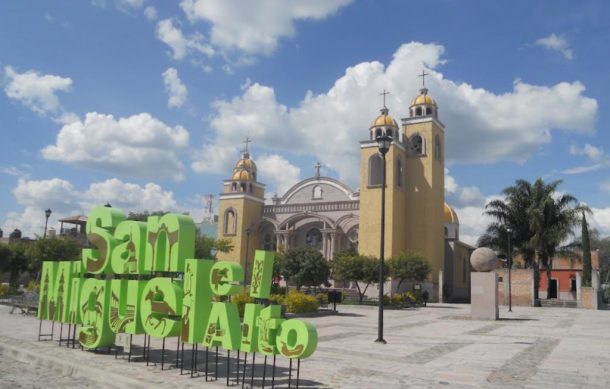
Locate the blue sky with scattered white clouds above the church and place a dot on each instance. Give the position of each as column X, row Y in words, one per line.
column 145, row 104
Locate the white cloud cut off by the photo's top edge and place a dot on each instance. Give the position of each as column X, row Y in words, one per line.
column 255, row 26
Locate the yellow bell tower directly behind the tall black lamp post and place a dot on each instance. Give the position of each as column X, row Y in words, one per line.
column 371, row 170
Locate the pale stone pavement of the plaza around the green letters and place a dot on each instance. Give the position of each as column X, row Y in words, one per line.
column 435, row 346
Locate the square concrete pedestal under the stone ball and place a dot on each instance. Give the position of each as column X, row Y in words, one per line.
column 484, row 296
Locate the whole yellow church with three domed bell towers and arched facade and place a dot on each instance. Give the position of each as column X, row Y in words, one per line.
column 327, row 215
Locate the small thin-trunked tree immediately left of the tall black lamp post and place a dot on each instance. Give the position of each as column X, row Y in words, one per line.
column 349, row 266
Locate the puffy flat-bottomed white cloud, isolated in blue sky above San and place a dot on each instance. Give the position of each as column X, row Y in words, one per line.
column 138, row 145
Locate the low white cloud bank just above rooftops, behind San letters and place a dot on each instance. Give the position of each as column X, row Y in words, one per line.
column 65, row 200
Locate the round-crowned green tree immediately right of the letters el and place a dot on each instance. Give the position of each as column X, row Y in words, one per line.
column 305, row 266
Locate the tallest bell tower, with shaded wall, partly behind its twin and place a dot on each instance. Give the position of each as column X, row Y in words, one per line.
column 425, row 190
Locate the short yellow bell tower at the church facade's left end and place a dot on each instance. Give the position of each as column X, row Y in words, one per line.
column 240, row 208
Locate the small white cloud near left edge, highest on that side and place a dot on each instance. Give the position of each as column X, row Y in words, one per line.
column 35, row 90
